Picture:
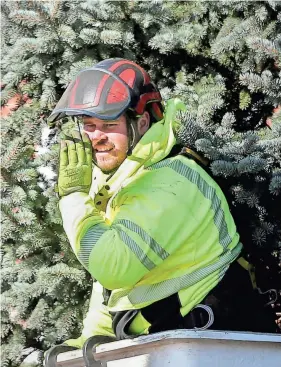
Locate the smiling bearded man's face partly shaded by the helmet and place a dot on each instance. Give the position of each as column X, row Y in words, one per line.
column 109, row 141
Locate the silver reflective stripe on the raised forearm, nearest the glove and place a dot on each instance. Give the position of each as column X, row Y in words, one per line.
column 89, row 241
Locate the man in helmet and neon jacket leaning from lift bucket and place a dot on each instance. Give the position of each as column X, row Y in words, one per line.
column 152, row 227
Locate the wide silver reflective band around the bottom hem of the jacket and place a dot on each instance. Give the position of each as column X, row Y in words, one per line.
column 157, row 291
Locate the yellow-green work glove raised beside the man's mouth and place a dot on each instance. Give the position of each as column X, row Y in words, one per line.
column 75, row 167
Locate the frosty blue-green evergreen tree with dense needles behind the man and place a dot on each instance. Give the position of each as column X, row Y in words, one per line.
column 222, row 58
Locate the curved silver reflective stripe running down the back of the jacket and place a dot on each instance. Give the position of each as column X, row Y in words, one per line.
column 208, row 191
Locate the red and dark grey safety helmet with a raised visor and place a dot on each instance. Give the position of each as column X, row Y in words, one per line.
column 107, row 90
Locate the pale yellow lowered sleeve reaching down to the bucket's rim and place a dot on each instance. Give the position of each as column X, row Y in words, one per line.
column 97, row 321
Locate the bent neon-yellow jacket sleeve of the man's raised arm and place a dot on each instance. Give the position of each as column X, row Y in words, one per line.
column 140, row 237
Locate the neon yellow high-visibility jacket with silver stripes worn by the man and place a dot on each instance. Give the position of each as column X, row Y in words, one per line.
column 155, row 228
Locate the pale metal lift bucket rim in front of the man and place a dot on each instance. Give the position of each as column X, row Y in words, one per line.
column 178, row 348
